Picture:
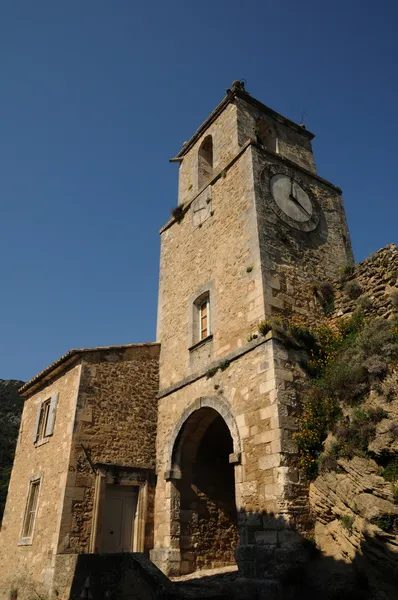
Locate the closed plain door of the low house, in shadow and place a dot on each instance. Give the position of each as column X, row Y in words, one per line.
column 118, row 521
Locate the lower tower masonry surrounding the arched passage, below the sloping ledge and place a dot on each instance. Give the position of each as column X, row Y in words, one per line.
column 255, row 397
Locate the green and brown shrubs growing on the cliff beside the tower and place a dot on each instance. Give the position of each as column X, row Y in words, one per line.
column 347, row 362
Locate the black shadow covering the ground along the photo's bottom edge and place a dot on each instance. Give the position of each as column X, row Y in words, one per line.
column 281, row 565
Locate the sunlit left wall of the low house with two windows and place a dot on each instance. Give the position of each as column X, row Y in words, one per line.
column 28, row 567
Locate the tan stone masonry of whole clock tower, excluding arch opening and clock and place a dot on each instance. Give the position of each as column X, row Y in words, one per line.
column 253, row 265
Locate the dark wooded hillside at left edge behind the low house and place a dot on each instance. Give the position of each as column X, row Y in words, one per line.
column 11, row 405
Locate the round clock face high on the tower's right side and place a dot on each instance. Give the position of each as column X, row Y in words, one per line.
column 289, row 198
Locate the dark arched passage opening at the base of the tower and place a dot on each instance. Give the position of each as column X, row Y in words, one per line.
column 204, row 485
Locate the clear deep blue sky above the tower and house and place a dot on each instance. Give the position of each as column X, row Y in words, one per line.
column 96, row 96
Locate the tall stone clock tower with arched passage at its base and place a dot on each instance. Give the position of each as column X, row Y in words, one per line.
column 254, row 229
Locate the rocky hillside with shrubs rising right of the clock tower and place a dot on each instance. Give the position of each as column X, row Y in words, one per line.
column 354, row 490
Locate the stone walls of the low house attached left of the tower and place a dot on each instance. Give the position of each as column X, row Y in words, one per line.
column 105, row 430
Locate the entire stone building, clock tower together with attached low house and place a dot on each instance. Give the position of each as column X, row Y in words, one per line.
column 254, row 227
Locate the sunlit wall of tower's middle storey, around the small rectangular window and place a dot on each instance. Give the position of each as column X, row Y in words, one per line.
column 222, row 255
